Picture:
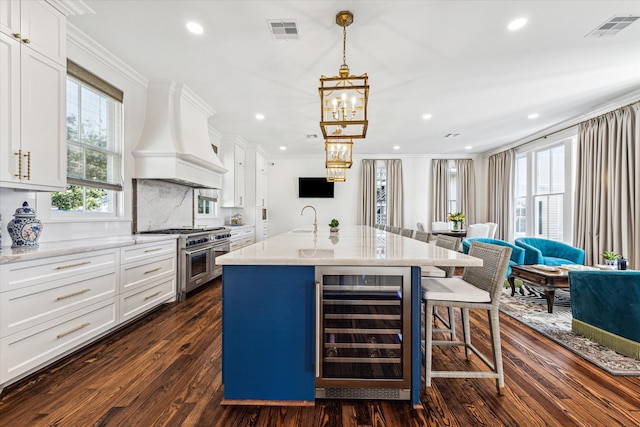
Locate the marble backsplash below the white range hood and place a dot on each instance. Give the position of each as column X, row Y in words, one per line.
column 159, row 204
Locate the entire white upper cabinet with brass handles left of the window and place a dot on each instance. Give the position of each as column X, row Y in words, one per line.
column 32, row 96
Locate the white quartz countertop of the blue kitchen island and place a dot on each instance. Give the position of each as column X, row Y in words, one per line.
column 352, row 245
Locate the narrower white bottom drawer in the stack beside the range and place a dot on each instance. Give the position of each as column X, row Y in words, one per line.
column 146, row 297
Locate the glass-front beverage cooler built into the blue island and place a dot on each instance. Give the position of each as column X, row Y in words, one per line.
column 363, row 332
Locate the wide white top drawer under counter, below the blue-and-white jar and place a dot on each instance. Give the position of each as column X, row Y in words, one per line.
column 28, row 273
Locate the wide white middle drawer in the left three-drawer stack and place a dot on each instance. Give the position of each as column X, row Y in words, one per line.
column 29, row 306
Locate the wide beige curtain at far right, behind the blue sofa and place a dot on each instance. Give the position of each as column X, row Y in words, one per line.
column 608, row 186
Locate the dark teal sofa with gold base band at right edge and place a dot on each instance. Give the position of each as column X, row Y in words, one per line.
column 606, row 308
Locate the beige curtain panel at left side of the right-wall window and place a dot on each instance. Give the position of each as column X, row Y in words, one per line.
column 500, row 204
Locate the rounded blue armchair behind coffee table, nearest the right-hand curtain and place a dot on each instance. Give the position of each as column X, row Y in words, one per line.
column 549, row 252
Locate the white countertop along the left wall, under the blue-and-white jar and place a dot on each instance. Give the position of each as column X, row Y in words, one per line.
column 43, row 250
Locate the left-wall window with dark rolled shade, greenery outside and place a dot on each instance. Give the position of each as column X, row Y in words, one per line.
column 94, row 145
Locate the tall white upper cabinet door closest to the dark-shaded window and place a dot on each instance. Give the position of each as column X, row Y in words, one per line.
column 43, row 91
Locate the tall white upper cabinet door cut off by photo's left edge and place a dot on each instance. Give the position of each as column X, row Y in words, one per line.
column 9, row 108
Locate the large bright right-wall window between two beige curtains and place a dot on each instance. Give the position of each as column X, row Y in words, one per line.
column 543, row 194
